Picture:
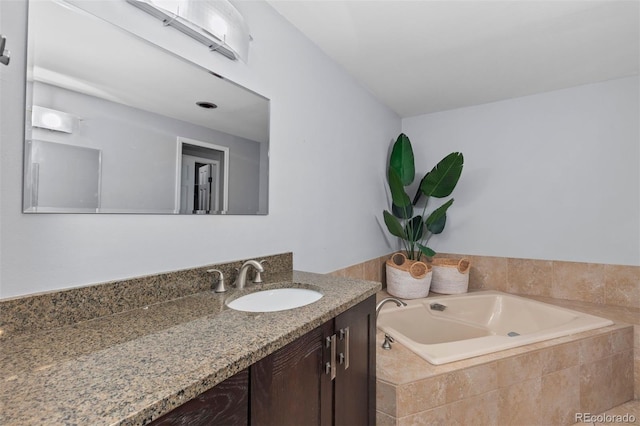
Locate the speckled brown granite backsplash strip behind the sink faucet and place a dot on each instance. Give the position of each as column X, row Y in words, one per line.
column 50, row 310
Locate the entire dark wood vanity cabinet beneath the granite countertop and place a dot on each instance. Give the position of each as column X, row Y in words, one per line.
column 326, row 377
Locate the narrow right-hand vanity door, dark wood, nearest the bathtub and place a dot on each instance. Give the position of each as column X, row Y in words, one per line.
column 355, row 384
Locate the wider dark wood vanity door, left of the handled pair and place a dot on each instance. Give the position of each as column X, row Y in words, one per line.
column 290, row 387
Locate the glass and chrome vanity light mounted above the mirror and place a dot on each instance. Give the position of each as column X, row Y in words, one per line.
column 215, row 23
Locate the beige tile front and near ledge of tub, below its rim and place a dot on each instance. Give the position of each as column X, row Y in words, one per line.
column 541, row 384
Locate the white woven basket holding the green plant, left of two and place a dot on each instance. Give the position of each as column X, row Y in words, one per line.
column 407, row 279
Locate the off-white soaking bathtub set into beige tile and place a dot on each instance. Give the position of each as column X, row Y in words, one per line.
column 478, row 323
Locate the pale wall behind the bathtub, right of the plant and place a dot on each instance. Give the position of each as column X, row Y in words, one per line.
column 550, row 176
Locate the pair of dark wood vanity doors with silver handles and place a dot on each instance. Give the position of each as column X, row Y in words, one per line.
column 300, row 385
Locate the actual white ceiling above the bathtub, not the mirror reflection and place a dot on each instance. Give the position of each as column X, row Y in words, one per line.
column 424, row 56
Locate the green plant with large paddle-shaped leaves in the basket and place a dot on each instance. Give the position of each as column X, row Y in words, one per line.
column 416, row 230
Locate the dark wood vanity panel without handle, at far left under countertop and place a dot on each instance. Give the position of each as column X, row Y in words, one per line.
column 225, row 404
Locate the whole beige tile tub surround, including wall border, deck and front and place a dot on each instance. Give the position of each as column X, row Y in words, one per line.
column 546, row 386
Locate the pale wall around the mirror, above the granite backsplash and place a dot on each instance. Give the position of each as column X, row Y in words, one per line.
column 329, row 141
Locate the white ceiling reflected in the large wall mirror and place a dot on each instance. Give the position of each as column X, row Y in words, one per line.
column 96, row 64
